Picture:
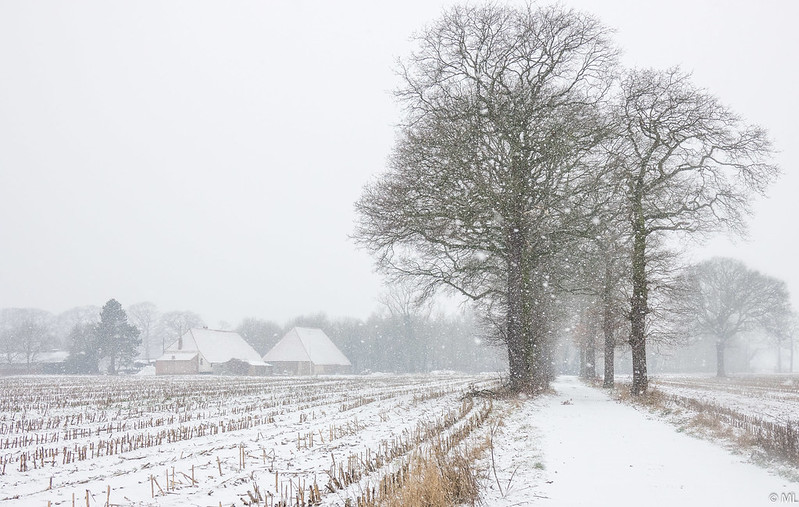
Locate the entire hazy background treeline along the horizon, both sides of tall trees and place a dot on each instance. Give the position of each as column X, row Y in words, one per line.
column 714, row 305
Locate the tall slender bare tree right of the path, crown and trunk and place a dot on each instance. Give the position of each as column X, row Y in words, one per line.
column 687, row 164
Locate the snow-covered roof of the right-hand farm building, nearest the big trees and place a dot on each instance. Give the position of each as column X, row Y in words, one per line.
column 307, row 344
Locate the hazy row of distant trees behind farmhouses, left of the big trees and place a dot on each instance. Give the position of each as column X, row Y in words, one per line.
column 402, row 337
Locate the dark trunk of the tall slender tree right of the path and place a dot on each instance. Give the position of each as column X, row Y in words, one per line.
column 638, row 308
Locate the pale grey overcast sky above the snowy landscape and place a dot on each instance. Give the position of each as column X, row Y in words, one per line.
column 205, row 156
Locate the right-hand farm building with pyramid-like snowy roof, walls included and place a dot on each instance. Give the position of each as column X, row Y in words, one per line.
column 307, row 351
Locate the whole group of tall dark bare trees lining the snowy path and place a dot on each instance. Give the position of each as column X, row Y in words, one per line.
column 530, row 168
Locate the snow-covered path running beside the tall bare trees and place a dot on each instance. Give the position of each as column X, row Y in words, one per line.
column 595, row 451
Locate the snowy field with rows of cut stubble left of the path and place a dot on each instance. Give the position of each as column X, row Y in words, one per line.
column 219, row 440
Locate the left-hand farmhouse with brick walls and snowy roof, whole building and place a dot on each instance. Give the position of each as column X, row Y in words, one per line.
column 210, row 351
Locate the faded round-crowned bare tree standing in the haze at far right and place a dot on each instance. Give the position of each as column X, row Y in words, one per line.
column 728, row 299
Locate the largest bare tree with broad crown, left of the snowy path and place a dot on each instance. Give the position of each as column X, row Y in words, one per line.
column 491, row 163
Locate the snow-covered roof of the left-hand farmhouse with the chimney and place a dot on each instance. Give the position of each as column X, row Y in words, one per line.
column 215, row 346
